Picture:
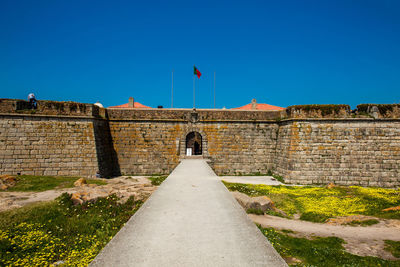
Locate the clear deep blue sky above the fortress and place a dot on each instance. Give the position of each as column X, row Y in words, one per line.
column 279, row 52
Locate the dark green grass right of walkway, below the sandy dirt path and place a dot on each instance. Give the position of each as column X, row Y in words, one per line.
column 319, row 251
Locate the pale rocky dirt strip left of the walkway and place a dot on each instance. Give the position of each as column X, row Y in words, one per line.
column 124, row 186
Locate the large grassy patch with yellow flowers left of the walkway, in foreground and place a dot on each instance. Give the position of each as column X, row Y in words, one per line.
column 44, row 233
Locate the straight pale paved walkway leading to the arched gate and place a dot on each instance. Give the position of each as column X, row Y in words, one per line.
column 191, row 220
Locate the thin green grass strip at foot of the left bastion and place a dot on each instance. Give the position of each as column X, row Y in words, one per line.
column 31, row 183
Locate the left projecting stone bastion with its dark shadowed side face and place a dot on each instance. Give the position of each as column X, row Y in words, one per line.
column 59, row 138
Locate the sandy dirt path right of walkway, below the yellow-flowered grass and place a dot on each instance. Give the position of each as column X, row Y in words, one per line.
column 363, row 241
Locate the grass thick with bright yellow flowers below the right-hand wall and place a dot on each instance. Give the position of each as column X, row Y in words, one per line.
column 317, row 204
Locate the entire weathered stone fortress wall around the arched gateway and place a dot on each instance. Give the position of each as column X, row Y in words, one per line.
column 310, row 144
